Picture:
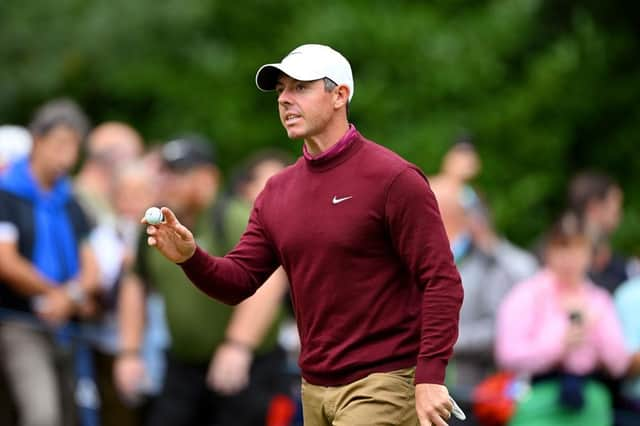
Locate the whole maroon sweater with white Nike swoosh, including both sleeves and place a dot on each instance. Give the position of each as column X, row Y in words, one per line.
column 373, row 282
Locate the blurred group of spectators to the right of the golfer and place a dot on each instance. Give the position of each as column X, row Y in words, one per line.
column 548, row 335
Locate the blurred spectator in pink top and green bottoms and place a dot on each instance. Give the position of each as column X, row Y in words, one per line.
column 562, row 331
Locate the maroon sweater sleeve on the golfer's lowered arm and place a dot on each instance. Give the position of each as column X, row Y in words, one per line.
column 418, row 236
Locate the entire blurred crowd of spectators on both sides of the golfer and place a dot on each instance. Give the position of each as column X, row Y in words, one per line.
column 97, row 328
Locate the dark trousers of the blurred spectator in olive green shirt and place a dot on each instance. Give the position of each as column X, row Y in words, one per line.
column 186, row 400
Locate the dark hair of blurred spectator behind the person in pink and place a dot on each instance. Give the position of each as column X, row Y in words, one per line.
column 586, row 187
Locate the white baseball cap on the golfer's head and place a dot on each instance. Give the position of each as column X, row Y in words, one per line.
column 307, row 63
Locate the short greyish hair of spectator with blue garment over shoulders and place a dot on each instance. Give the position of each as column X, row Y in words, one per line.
column 59, row 112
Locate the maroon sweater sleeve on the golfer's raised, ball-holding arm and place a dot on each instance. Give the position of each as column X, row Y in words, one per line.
column 236, row 276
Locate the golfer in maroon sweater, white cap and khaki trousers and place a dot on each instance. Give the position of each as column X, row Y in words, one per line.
column 358, row 231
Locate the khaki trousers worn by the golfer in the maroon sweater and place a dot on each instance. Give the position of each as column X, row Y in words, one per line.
column 380, row 399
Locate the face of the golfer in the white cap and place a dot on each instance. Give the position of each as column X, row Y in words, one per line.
column 305, row 107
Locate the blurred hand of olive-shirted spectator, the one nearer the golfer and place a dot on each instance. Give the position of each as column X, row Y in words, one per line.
column 229, row 369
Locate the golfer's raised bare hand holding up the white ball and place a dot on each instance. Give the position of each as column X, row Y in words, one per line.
column 171, row 238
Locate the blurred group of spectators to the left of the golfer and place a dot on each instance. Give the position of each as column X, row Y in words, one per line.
column 95, row 327
